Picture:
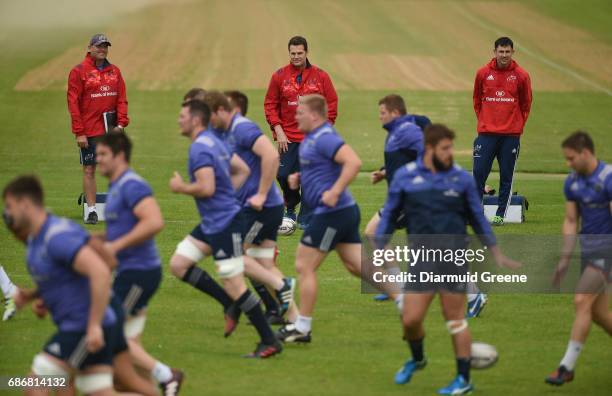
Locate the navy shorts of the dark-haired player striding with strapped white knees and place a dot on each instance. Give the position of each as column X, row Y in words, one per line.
column 224, row 244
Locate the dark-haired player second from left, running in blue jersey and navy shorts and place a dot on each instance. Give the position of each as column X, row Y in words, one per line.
column 133, row 218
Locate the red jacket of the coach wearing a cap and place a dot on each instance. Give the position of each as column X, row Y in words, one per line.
column 92, row 92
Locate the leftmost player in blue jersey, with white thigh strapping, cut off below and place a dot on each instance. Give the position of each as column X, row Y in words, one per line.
column 73, row 282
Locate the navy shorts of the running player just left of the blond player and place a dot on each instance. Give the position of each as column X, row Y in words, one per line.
column 262, row 225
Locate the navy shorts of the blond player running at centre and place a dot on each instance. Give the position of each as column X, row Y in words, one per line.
column 326, row 230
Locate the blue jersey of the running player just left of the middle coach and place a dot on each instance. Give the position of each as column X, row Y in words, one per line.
column 242, row 135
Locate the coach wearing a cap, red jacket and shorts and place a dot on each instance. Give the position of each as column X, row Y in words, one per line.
column 95, row 87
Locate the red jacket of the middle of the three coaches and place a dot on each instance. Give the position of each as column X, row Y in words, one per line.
column 283, row 93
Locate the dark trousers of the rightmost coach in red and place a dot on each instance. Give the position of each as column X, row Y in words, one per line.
column 506, row 149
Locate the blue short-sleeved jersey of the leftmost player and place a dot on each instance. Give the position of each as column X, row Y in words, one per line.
column 65, row 292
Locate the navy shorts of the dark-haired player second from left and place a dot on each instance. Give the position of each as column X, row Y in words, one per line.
column 134, row 288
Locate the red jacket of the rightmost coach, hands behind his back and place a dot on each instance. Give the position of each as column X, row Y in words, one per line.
column 502, row 99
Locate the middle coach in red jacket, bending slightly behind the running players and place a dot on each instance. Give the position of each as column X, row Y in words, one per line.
column 298, row 78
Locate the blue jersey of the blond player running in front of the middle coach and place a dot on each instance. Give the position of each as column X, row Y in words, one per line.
column 319, row 171
